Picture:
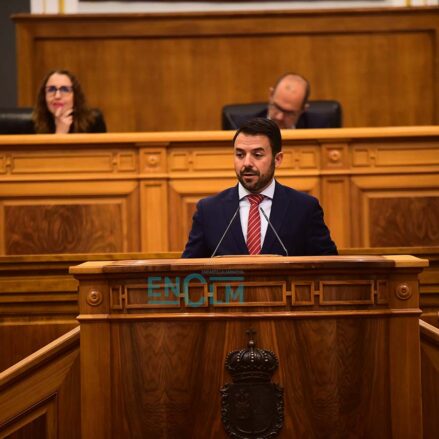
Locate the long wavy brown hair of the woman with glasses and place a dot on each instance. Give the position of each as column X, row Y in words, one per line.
column 43, row 118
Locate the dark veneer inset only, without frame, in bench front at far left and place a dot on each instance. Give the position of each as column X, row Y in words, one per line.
column 63, row 228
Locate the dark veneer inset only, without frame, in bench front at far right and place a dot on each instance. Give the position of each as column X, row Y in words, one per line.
column 404, row 221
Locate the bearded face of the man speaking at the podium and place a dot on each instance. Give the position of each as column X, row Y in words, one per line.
column 254, row 161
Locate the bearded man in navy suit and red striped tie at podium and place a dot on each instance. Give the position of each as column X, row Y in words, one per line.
column 259, row 215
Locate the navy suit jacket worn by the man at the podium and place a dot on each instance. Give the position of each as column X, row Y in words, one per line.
column 296, row 216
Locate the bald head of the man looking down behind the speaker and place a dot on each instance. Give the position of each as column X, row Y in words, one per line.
column 285, row 104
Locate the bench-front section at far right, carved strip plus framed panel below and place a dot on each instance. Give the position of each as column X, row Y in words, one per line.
column 394, row 205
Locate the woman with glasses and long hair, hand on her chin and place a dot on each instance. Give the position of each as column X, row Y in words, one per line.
column 61, row 107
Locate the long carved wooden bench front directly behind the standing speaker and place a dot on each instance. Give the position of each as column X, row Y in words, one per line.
column 115, row 193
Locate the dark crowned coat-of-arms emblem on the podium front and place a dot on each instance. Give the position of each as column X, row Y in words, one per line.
column 252, row 406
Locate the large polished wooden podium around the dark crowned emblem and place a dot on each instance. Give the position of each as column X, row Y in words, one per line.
column 155, row 335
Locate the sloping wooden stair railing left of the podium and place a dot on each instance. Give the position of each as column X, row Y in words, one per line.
column 40, row 395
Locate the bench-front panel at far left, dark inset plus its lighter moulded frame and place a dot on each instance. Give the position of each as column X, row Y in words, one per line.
column 68, row 217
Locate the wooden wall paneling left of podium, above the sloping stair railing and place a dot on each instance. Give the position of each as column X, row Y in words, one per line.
column 38, row 303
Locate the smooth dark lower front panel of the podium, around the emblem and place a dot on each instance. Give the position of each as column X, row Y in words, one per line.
column 334, row 377
